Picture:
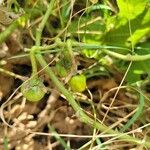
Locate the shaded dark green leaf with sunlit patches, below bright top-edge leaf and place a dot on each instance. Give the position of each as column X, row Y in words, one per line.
column 120, row 34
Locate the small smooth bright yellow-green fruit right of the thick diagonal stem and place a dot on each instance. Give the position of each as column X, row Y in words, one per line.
column 78, row 83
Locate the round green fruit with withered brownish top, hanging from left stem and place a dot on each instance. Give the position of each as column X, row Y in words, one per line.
column 33, row 90
